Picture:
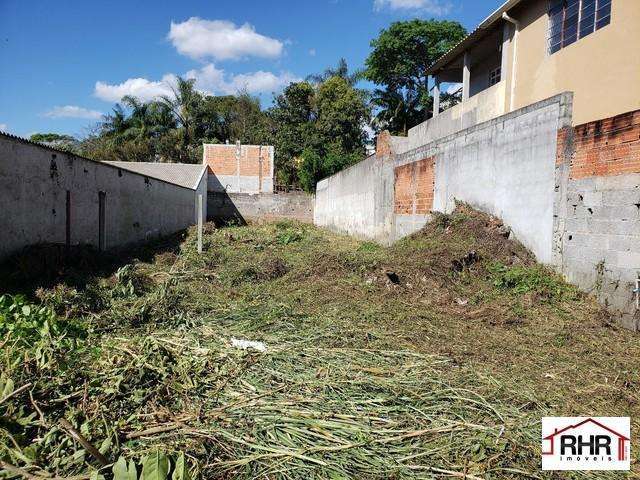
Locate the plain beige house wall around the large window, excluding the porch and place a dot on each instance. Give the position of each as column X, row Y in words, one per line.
column 601, row 67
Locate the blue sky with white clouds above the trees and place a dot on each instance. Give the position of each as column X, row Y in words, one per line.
column 64, row 63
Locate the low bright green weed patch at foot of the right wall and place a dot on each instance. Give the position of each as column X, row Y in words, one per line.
column 535, row 279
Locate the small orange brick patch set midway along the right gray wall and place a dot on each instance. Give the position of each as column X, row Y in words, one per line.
column 414, row 183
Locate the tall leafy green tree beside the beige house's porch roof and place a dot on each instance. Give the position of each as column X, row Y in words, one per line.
column 399, row 61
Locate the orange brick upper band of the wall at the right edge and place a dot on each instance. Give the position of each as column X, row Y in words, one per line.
column 607, row 147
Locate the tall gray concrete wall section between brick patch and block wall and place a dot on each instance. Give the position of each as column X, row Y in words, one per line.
column 505, row 167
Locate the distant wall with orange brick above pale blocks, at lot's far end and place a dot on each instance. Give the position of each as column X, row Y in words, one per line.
column 239, row 168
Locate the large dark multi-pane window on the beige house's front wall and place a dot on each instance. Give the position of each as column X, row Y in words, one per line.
column 571, row 20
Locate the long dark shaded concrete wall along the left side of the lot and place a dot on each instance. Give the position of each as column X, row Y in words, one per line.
column 34, row 181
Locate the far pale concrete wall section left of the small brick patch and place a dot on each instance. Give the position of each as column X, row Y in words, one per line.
column 358, row 200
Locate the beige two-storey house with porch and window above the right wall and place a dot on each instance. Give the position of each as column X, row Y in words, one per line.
column 529, row 50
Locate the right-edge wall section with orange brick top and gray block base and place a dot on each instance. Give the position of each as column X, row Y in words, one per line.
column 600, row 243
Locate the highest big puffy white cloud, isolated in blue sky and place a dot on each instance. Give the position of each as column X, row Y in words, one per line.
column 222, row 40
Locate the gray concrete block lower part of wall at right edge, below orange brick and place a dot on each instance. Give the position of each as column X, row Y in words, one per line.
column 601, row 243
